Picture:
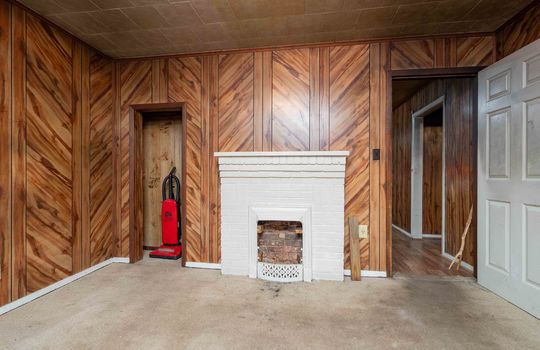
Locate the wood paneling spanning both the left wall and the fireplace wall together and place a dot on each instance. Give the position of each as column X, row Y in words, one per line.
column 64, row 204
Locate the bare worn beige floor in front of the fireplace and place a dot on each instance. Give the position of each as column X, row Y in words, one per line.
column 158, row 305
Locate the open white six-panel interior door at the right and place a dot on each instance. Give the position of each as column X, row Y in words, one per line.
column 509, row 178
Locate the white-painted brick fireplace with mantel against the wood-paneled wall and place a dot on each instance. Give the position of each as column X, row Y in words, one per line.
column 284, row 186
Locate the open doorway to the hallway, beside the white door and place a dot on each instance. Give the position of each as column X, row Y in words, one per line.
column 434, row 174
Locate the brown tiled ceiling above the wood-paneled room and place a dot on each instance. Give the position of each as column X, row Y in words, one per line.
column 133, row 28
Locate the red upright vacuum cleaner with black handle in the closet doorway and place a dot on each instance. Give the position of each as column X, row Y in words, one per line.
column 171, row 232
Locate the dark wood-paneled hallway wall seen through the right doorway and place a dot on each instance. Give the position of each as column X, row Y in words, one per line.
column 460, row 158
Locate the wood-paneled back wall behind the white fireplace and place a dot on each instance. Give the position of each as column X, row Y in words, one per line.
column 307, row 98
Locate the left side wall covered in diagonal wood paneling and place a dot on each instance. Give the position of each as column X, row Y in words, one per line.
column 56, row 154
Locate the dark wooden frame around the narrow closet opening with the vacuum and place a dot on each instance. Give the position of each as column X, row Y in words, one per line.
column 136, row 227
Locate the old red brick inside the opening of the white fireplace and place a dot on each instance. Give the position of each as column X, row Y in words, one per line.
column 280, row 242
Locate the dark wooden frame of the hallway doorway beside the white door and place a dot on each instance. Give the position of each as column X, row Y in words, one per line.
column 391, row 75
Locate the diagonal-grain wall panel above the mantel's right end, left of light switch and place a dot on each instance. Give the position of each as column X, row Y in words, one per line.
column 349, row 129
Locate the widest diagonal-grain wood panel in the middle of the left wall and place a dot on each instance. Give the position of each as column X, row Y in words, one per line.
column 49, row 235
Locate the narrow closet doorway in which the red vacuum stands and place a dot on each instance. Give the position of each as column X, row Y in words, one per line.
column 157, row 144
